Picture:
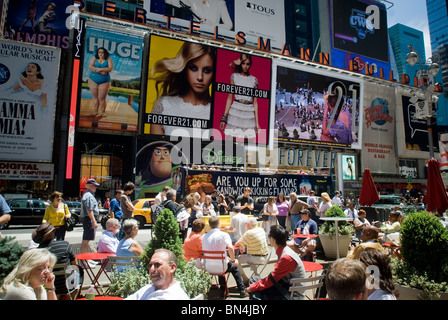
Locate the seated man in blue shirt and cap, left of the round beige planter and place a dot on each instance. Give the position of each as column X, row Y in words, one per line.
column 305, row 246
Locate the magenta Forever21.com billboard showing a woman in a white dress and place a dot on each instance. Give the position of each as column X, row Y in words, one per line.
column 242, row 96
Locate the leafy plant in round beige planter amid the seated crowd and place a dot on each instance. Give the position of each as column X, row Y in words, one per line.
column 327, row 232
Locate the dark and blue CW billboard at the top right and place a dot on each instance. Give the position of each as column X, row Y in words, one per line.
column 357, row 41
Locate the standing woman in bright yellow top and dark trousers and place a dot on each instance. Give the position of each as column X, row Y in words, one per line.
column 56, row 214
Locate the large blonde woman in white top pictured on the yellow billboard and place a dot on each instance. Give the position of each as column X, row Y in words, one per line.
column 182, row 85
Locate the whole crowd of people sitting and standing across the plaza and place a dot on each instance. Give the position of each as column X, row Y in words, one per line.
column 246, row 241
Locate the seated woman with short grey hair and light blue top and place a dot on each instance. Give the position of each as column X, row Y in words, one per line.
column 128, row 246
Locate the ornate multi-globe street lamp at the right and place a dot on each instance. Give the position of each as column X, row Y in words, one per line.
column 424, row 78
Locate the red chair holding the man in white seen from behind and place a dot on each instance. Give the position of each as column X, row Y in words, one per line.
column 215, row 263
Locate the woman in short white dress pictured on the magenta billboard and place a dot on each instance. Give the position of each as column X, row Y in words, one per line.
column 240, row 118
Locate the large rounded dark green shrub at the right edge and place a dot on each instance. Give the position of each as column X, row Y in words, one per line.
column 422, row 273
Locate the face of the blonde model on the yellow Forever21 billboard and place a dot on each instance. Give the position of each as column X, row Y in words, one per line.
column 200, row 73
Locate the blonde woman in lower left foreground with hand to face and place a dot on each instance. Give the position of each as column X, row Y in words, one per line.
column 32, row 277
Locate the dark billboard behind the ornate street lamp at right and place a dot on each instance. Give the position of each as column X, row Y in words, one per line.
column 412, row 131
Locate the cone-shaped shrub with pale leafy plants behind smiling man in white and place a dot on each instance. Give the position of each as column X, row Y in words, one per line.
column 194, row 281
